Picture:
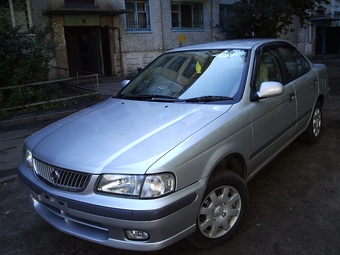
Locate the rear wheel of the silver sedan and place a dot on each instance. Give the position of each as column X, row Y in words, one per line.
column 312, row 134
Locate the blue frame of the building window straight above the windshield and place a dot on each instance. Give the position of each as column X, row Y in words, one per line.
column 196, row 17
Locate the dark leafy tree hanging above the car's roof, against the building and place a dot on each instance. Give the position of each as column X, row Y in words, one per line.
column 267, row 18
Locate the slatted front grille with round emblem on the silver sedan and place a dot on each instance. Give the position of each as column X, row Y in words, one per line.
column 61, row 178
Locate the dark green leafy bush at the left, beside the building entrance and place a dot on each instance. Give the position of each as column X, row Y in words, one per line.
column 24, row 55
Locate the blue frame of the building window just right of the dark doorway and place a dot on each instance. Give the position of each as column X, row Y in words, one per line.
column 138, row 24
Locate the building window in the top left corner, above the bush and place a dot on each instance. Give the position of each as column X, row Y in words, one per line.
column 19, row 12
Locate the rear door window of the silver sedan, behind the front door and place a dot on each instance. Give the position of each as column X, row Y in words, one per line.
column 296, row 64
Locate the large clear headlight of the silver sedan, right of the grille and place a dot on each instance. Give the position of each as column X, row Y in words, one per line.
column 144, row 186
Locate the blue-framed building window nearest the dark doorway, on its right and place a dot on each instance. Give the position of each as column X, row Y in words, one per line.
column 138, row 20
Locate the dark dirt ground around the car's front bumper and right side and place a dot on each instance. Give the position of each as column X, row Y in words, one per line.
column 294, row 208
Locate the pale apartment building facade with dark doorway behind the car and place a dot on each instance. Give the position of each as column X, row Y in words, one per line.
column 119, row 37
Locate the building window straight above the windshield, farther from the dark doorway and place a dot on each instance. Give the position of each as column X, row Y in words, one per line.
column 187, row 16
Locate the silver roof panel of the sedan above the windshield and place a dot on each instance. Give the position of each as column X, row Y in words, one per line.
column 234, row 44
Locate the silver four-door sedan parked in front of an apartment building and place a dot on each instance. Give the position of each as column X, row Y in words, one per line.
column 169, row 156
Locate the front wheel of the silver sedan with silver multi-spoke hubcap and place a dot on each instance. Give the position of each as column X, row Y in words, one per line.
column 222, row 209
